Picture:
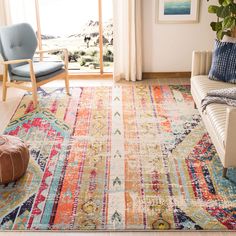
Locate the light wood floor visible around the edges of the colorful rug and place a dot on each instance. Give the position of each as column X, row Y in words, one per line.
column 6, row 111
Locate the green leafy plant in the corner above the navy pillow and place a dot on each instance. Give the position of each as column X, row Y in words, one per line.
column 226, row 18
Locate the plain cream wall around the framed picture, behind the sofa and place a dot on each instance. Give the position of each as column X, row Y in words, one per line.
column 168, row 47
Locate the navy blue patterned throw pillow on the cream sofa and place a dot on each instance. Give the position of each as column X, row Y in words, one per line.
column 223, row 66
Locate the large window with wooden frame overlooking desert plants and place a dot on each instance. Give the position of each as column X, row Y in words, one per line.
column 78, row 25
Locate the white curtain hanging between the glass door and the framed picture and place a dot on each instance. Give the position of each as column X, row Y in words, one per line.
column 127, row 21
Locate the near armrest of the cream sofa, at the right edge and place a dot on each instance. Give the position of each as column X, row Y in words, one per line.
column 230, row 137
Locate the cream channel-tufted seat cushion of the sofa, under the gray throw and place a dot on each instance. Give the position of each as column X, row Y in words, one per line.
column 216, row 112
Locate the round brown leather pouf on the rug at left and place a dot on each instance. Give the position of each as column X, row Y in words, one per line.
column 14, row 158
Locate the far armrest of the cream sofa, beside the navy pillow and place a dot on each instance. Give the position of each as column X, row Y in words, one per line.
column 201, row 62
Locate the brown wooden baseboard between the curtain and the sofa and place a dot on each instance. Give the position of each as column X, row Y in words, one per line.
column 166, row 75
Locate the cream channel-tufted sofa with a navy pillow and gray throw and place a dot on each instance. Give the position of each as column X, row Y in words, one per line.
column 219, row 119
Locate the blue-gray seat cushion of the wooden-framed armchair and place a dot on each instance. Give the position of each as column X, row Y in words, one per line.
column 40, row 69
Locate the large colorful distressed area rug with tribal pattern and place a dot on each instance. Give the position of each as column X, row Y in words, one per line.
column 121, row 158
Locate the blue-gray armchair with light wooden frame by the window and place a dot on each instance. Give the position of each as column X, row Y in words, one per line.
column 18, row 45
